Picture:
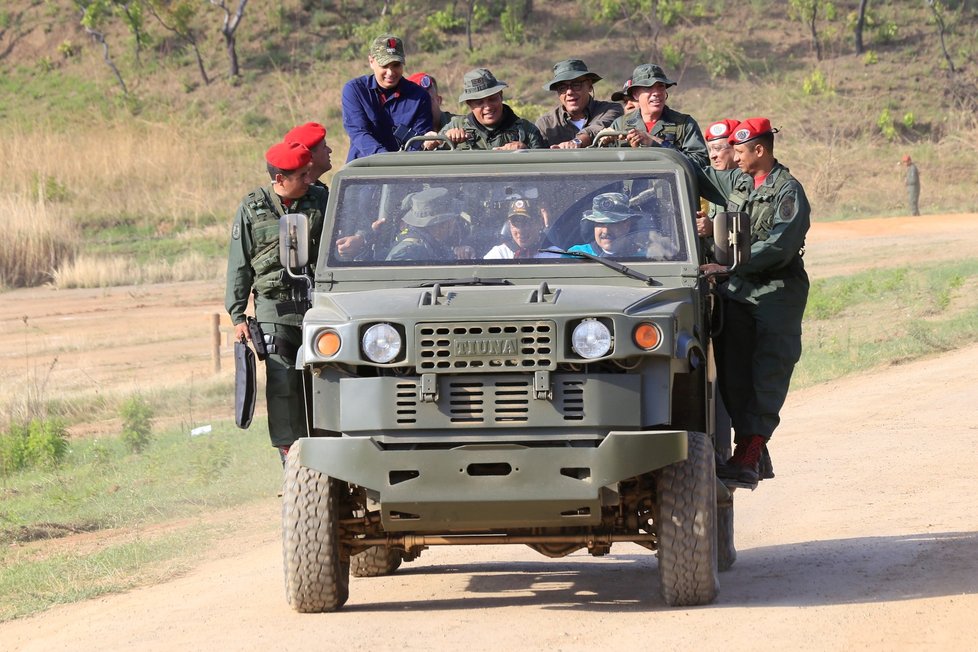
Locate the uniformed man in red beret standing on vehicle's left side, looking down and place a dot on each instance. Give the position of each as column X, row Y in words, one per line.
column 254, row 270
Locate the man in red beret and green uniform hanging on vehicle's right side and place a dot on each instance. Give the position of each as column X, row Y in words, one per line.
column 764, row 299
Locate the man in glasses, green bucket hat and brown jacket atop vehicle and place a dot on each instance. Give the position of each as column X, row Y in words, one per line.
column 578, row 117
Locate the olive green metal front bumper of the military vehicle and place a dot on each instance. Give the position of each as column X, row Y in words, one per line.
column 490, row 486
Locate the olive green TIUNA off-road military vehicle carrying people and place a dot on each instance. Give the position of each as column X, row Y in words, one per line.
column 559, row 400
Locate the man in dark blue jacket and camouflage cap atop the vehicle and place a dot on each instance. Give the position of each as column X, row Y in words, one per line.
column 382, row 110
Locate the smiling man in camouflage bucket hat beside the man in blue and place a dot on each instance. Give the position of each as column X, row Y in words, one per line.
column 491, row 124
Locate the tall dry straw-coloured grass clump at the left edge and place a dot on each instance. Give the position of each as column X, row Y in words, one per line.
column 38, row 240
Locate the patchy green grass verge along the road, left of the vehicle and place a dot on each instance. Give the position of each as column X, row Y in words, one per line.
column 101, row 486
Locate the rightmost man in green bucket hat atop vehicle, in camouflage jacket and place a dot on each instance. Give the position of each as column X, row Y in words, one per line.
column 654, row 124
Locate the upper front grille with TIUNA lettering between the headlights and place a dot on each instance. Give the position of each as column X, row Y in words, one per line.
column 486, row 346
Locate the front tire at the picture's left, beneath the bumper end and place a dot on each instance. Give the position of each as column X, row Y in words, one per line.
column 317, row 567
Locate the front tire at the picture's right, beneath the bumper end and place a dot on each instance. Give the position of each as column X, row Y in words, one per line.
column 686, row 506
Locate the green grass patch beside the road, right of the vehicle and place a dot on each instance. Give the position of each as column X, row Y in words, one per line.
column 883, row 317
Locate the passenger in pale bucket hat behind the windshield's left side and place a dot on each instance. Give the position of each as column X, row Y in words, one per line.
column 434, row 230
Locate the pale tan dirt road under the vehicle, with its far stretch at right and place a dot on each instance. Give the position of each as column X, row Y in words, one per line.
column 867, row 539
